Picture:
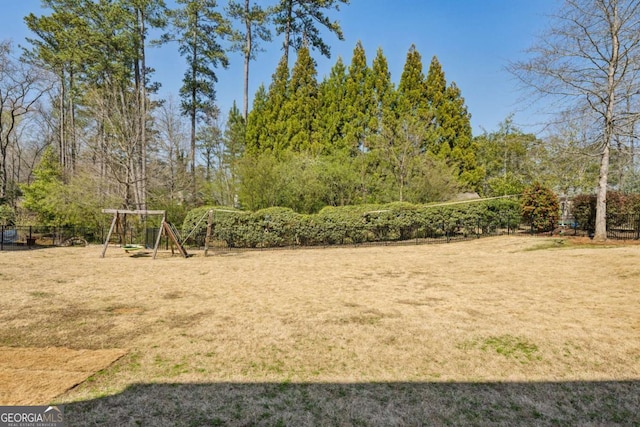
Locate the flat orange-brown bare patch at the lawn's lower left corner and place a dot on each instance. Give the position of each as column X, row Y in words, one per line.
column 35, row 376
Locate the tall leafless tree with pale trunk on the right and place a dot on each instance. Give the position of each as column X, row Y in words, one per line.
column 588, row 61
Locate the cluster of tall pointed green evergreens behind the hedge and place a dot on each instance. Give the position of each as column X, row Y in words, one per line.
column 412, row 143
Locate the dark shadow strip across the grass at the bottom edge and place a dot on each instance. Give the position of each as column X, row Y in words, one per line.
column 364, row 404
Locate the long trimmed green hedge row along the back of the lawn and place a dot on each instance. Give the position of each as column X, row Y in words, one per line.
column 275, row 227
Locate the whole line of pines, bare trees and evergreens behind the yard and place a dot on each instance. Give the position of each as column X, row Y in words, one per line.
column 82, row 126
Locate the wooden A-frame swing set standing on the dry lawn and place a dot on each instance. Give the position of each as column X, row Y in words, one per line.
column 118, row 226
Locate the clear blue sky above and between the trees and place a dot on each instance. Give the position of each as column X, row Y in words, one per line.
column 473, row 40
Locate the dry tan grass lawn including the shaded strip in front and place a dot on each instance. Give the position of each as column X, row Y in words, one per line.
column 503, row 330
